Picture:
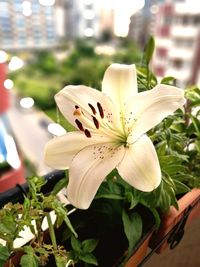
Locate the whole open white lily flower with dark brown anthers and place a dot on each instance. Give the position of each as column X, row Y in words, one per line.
column 111, row 133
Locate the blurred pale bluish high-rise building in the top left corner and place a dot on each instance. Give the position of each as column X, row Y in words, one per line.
column 30, row 24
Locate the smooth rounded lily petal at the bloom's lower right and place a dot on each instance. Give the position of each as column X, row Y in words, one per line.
column 140, row 166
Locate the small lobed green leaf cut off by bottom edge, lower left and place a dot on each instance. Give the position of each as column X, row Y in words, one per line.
column 29, row 259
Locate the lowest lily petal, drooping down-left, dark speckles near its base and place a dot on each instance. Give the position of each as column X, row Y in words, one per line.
column 88, row 170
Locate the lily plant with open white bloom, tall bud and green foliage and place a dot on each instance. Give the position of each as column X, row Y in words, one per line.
column 111, row 136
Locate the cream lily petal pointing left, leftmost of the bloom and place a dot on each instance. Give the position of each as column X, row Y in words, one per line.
column 60, row 151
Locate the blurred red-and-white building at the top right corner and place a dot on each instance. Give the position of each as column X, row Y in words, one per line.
column 176, row 28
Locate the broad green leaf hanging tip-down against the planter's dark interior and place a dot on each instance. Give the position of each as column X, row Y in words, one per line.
column 132, row 227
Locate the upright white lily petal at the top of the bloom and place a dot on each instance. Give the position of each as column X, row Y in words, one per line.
column 120, row 83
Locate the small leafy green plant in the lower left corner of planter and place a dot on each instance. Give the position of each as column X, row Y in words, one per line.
column 15, row 218
